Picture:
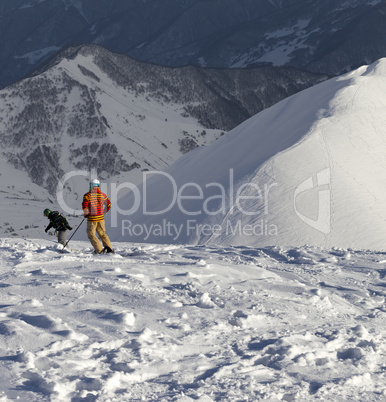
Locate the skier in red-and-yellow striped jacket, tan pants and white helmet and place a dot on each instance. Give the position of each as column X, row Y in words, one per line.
column 95, row 205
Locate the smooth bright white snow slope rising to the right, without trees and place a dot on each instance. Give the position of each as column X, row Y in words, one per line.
column 309, row 170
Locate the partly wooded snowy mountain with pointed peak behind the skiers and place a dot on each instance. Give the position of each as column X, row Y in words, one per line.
column 91, row 110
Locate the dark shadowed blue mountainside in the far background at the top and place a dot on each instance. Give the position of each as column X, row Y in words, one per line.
column 329, row 36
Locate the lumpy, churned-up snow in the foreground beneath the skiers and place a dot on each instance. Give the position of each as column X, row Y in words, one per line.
column 181, row 323
